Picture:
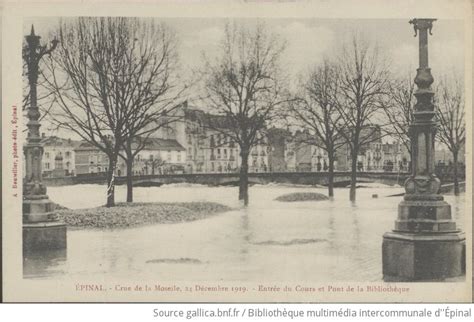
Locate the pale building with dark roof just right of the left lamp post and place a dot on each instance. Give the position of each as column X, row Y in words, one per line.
column 58, row 156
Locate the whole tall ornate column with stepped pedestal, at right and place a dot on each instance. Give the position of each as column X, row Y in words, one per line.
column 425, row 244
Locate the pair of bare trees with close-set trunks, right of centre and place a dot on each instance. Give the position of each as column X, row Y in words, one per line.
column 340, row 103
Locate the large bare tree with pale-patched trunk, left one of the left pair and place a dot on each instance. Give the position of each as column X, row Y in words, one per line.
column 102, row 75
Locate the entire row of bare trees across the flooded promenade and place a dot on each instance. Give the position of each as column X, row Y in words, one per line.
column 115, row 82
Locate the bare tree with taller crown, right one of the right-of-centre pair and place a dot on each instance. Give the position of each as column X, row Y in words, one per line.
column 363, row 81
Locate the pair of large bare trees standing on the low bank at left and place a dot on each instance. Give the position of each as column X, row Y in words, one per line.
column 114, row 82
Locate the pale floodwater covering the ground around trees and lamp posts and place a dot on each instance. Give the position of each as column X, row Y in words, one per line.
column 331, row 240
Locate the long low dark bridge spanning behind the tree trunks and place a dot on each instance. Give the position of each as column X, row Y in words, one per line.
column 341, row 179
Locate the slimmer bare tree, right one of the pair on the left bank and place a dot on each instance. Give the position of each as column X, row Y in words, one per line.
column 150, row 84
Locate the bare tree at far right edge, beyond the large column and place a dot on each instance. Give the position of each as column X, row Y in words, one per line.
column 450, row 113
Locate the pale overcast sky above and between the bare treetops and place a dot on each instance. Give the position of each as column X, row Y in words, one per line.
column 310, row 40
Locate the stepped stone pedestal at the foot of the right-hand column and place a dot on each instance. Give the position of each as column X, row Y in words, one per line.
column 425, row 244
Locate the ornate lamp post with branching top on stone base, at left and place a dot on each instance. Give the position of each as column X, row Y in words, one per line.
column 41, row 230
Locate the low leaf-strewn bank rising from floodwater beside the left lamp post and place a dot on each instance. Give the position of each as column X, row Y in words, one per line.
column 125, row 215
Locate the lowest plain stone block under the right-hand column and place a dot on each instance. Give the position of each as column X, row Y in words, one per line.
column 423, row 256
